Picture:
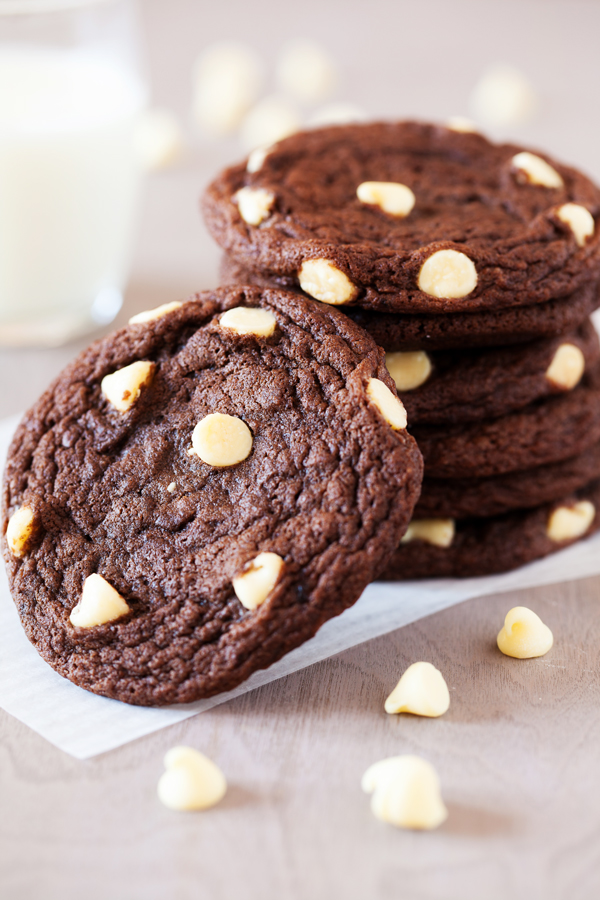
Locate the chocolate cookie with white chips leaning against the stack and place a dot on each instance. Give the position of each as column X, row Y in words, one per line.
column 197, row 493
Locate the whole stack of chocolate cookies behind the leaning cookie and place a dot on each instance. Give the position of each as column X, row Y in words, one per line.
column 476, row 267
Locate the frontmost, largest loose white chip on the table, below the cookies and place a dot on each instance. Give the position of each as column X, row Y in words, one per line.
column 406, row 792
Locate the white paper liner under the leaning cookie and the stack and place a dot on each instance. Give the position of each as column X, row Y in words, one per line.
column 84, row 725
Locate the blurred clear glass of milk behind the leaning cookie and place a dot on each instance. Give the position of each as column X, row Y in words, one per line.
column 71, row 94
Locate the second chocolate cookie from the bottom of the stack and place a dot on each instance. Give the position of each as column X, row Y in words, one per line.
column 460, row 498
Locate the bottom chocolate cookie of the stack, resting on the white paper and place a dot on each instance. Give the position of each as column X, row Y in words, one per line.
column 485, row 546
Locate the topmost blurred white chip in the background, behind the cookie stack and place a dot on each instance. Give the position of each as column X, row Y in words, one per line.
column 306, row 71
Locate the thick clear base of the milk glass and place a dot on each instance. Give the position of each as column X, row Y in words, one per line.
column 60, row 328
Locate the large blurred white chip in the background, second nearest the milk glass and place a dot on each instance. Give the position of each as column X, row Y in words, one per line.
column 226, row 81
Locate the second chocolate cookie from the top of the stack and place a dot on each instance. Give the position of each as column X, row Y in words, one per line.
column 423, row 331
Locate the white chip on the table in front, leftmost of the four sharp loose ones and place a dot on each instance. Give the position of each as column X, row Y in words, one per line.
column 191, row 781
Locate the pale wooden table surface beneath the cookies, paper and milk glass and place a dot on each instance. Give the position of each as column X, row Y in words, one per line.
column 517, row 753
